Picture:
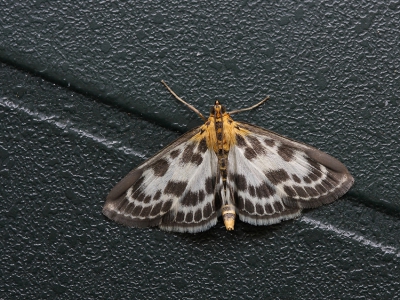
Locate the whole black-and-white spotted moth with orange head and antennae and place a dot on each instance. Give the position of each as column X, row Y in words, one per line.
column 227, row 168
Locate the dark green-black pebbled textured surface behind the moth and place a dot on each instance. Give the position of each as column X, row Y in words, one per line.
column 333, row 75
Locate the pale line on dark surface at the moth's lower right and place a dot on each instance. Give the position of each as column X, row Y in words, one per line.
column 352, row 235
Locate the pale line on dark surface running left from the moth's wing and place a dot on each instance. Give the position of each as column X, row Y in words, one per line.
column 69, row 126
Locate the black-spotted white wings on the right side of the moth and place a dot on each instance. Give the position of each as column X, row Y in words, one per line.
column 273, row 177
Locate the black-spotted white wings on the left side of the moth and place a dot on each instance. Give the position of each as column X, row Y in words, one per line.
column 174, row 189
